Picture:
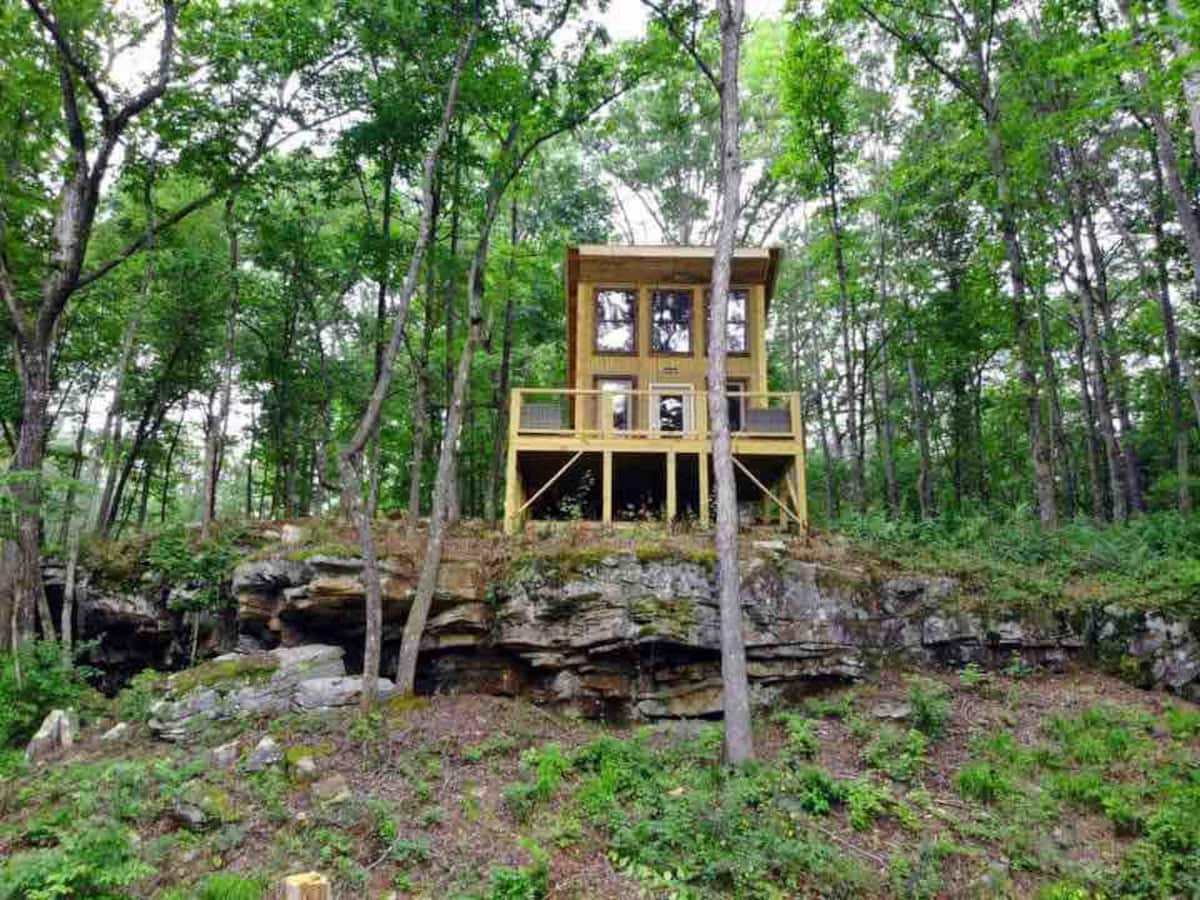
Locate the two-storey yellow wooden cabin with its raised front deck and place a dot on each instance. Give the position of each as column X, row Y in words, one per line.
column 628, row 439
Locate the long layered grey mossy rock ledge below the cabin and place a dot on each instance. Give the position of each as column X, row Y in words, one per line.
column 635, row 635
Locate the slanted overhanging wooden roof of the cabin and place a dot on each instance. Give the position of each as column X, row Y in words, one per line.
column 667, row 265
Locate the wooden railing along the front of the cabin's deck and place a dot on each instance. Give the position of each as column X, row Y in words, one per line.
column 661, row 413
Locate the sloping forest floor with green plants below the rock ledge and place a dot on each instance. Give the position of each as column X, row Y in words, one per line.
column 1013, row 784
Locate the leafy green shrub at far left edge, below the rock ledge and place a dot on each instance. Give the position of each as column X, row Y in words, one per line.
column 46, row 683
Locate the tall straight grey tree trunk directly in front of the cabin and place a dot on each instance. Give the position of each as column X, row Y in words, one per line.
column 735, row 681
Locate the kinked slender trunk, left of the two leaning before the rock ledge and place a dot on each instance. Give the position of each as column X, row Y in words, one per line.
column 351, row 458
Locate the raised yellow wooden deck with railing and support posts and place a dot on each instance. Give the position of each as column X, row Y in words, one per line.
column 557, row 429
